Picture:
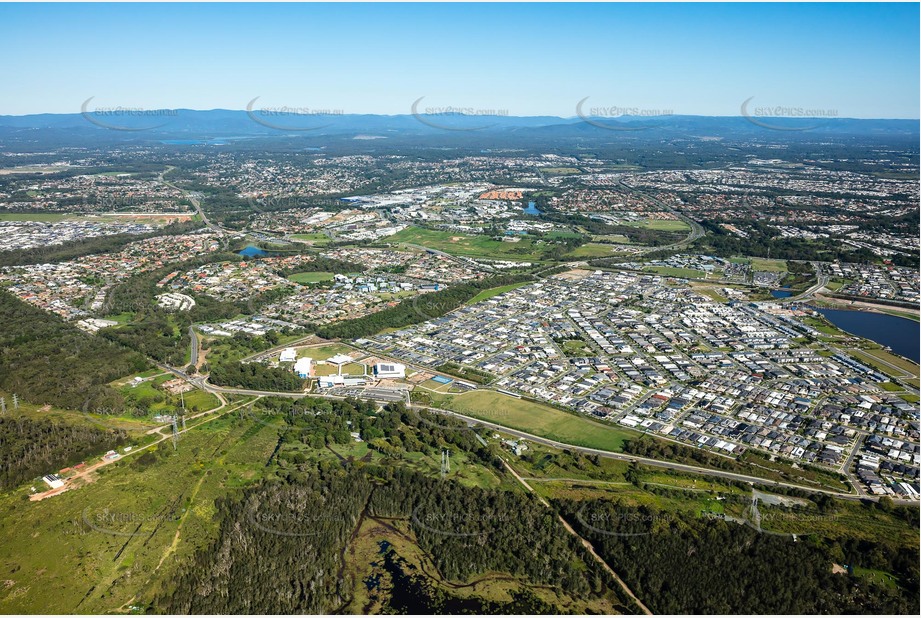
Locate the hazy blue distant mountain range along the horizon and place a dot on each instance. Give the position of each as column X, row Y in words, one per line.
column 228, row 124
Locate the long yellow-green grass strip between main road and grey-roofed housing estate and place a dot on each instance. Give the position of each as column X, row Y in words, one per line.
column 536, row 418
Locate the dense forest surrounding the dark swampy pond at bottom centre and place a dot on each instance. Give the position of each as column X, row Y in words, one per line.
column 281, row 543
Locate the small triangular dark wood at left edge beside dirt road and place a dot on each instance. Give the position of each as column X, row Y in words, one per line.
column 33, row 447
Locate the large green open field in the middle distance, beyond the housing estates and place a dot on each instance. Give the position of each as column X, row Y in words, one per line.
column 472, row 246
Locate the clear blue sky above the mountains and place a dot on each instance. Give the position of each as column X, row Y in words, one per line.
column 859, row 60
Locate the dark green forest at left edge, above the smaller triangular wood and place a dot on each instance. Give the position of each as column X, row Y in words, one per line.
column 45, row 360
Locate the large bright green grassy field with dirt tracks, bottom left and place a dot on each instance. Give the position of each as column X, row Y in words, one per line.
column 121, row 535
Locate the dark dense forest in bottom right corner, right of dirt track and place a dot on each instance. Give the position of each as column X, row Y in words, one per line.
column 698, row 565
